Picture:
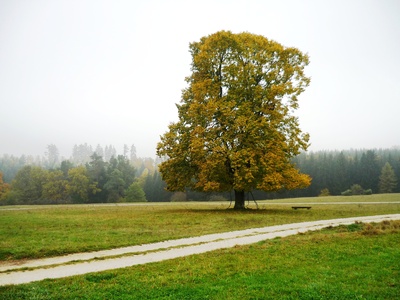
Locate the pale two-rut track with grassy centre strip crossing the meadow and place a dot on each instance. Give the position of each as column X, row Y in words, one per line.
column 83, row 263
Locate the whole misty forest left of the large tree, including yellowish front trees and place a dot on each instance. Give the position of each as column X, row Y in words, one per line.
column 85, row 178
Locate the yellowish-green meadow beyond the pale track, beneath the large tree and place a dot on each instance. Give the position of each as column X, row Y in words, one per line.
column 43, row 231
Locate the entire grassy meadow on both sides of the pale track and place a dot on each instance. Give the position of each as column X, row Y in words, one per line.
column 359, row 261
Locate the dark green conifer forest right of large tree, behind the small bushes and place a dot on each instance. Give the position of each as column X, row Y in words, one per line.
column 338, row 171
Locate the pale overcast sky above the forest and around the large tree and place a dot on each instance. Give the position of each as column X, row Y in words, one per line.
column 110, row 72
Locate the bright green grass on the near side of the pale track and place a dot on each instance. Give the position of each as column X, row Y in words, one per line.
column 359, row 261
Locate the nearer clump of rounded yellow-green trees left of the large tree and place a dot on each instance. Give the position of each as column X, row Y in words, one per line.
column 96, row 181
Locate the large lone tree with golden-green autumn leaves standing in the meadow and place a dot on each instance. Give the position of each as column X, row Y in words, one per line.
column 236, row 128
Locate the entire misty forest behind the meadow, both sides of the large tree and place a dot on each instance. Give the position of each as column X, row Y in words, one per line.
column 101, row 175
